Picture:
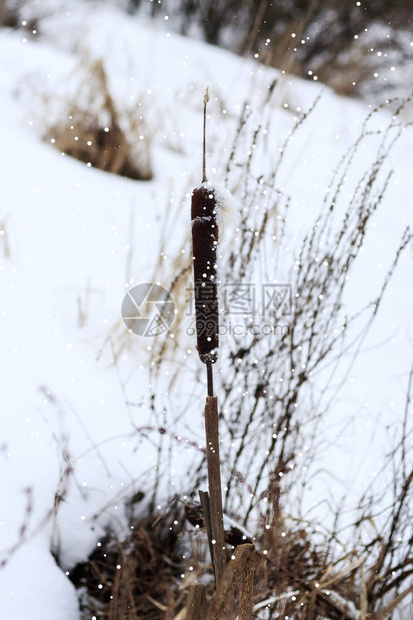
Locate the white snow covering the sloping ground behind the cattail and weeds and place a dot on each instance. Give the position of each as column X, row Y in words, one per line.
column 72, row 237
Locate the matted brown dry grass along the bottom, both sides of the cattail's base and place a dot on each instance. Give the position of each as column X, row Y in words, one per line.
column 147, row 574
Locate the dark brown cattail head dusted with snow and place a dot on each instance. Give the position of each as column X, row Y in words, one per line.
column 204, row 248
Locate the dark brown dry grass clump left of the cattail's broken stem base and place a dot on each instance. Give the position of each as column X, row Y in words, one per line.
column 134, row 577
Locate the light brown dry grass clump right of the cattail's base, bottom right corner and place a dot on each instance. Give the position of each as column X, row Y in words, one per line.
column 302, row 578
